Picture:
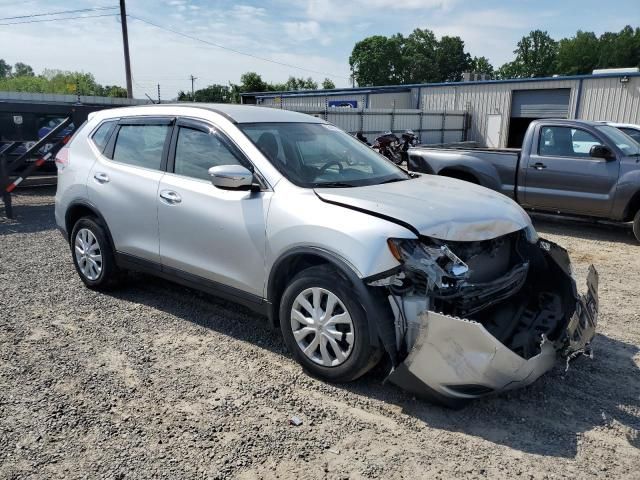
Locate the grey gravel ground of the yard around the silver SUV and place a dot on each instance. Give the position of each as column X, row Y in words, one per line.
column 155, row 380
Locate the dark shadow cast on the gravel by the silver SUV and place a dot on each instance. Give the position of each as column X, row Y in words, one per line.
column 546, row 418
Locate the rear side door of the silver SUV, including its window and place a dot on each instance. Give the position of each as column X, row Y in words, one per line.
column 123, row 184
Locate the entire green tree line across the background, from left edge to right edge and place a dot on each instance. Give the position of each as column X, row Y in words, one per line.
column 419, row 57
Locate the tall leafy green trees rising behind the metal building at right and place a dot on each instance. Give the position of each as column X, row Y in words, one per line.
column 421, row 57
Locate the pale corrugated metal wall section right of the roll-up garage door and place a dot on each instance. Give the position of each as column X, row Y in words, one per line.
column 609, row 99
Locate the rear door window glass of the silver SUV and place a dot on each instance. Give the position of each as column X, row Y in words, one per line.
column 140, row 145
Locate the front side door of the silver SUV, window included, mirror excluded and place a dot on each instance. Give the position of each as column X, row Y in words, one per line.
column 205, row 232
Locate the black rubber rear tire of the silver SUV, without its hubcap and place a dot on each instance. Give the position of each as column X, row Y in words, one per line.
column 109, row 275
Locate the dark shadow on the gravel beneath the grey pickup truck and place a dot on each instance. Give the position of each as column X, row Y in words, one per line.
column 592, row 230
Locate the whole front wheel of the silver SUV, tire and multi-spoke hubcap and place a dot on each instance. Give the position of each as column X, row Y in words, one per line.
column 324, row 326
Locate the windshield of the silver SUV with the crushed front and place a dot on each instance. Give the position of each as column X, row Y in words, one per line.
column 320, row 155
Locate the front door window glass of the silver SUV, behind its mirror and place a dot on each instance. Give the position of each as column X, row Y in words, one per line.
column 198, row 151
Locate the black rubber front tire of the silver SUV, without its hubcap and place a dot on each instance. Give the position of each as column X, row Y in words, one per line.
column 363, row 355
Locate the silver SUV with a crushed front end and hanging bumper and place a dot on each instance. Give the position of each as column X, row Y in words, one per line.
column 350, row 256
